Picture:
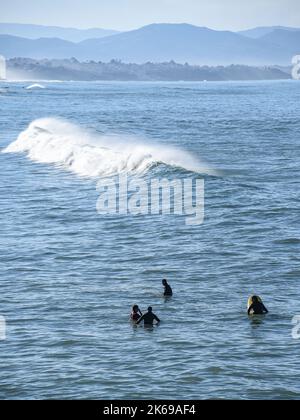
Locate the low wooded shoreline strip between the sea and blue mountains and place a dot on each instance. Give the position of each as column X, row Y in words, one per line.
column 72, row 69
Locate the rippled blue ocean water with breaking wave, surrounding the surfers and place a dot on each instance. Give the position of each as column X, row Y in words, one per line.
column 69, row 275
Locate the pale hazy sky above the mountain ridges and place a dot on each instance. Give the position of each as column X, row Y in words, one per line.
column 130, row 14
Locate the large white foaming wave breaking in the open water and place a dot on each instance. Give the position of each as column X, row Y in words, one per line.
column 89, row 154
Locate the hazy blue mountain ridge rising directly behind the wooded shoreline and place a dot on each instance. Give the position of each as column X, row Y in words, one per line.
column 165, row 42
